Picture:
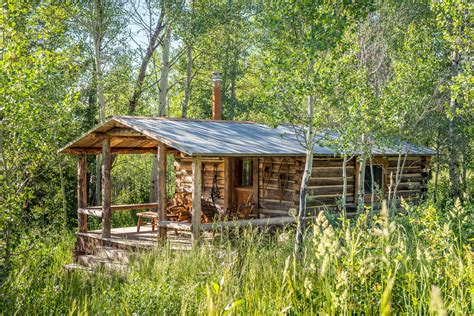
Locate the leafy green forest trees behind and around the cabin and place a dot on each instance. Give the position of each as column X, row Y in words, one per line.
column 391, row 70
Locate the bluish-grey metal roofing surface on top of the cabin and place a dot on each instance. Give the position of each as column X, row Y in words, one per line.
column 226, row 138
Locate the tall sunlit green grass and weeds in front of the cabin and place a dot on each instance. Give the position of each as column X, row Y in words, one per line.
column 415, row 263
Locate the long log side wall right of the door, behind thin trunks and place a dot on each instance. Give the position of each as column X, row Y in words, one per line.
column 326, row 183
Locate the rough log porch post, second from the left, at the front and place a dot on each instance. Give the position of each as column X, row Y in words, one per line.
column 106, row 188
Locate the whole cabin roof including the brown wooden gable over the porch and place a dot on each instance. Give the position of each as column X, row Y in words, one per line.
column 132, row 134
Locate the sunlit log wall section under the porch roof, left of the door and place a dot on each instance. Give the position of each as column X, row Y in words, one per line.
column 184, row 181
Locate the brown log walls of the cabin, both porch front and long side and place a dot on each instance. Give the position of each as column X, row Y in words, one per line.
column 279, row 180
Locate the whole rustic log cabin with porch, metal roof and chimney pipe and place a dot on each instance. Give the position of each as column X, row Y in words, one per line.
column 230, row 173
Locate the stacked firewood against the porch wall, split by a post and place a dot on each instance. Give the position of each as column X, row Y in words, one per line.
column 179, row 208
